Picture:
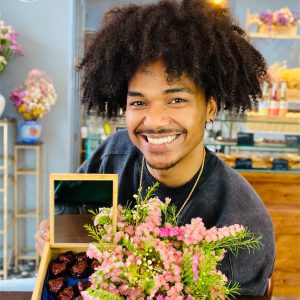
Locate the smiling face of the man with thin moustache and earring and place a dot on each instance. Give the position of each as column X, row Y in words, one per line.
column 166, row 120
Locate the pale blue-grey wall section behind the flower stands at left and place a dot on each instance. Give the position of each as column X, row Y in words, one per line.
column 47, row 35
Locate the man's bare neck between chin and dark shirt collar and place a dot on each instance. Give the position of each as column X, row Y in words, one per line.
column 180, row 173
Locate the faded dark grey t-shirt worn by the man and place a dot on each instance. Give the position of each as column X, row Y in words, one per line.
column 222, row 197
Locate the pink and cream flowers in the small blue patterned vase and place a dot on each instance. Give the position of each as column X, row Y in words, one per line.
column 37, row 96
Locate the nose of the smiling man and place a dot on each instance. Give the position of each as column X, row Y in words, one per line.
column 156, row 117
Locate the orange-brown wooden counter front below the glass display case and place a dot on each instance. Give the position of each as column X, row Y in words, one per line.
column 281, row 194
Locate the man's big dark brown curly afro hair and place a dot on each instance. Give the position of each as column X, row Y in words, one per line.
column 189, row 36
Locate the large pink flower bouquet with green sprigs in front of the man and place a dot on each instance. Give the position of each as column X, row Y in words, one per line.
column 154, row 258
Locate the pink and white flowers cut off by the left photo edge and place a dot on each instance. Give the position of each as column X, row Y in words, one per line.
column 9, row 47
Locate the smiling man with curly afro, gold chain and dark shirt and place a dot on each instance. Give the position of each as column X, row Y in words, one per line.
column 171, row 66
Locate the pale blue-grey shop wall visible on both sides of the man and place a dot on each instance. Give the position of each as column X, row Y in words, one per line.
column 47, row 34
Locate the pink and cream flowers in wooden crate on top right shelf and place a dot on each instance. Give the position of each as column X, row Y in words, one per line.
column 282, row 17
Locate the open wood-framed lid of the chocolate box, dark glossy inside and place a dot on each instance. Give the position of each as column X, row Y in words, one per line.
column 71, row 196
